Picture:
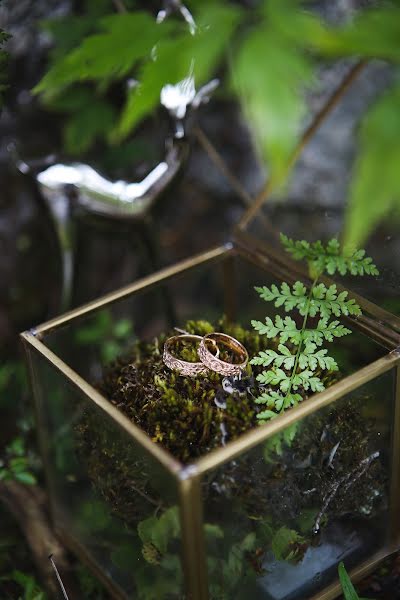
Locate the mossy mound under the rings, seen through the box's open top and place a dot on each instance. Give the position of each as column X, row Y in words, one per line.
column 179, row 412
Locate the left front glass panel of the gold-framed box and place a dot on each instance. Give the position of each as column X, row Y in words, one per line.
column 110, row 498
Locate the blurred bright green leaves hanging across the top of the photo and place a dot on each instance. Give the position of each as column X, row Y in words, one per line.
column 267, row 57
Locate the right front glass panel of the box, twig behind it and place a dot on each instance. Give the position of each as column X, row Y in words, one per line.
column 279, row 518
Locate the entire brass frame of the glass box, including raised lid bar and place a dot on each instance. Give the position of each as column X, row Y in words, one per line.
column 376, row 323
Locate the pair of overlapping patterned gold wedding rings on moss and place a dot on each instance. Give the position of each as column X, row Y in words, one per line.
column 209, row 348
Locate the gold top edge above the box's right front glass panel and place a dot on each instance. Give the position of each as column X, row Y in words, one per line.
column 257, row 435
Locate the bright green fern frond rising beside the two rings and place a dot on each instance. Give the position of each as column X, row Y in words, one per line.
column 294, row 367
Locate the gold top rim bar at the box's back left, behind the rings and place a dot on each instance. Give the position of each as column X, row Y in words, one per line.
column 141, row 284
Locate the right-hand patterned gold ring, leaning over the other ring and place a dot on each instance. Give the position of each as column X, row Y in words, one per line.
column 213, row 362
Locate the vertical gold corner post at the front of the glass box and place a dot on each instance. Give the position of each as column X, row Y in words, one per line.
column 193, row 545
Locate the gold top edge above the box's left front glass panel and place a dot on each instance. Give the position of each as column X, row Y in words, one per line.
column 157, row 452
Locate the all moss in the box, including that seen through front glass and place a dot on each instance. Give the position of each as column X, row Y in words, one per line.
column 325, row 464
